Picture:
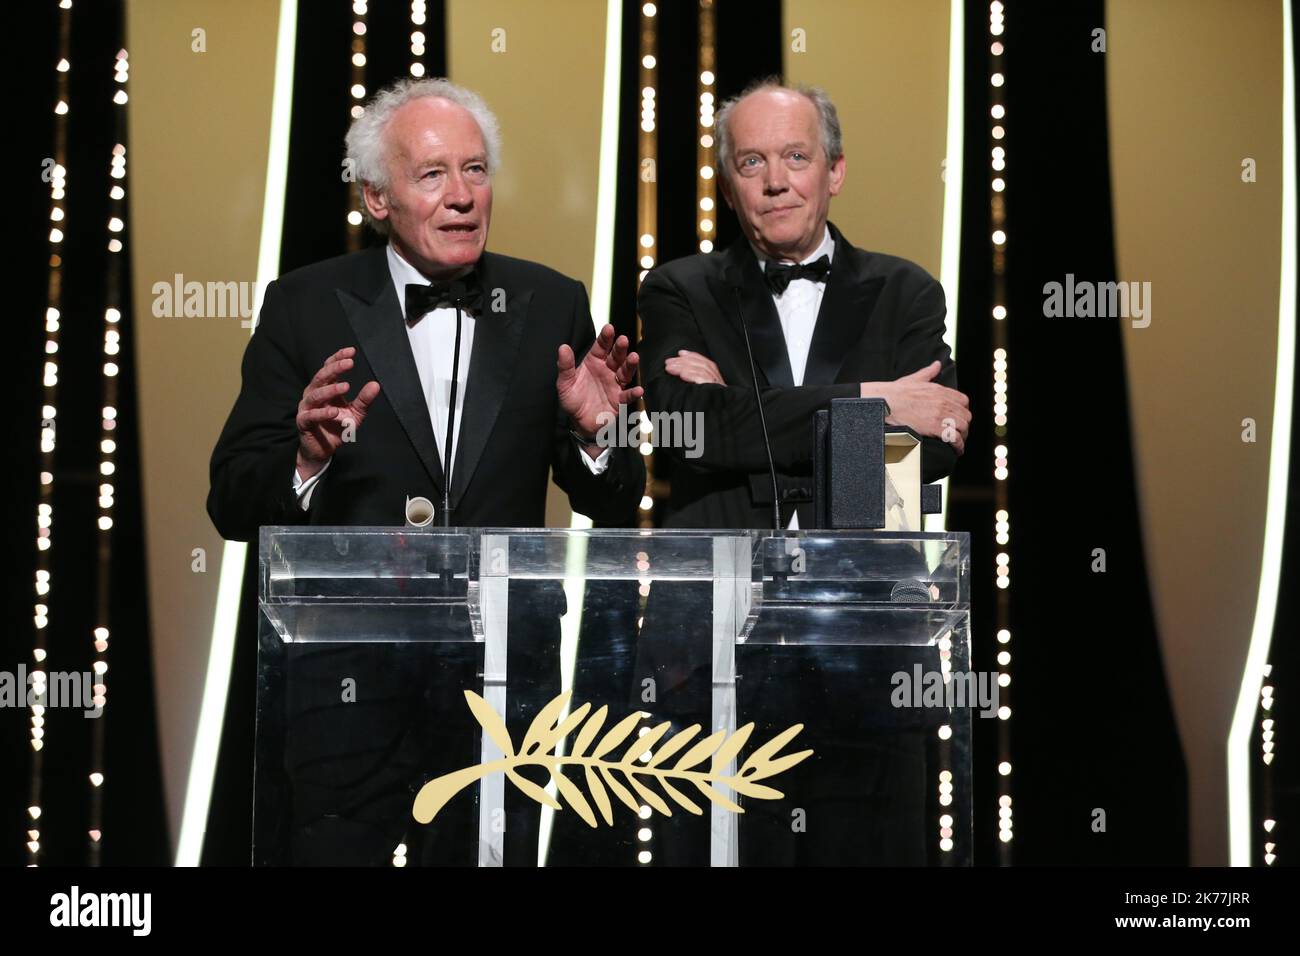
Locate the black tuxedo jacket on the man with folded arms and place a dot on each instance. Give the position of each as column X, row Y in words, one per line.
column 881, row 318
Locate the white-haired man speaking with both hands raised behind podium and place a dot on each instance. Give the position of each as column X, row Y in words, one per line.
column 346, row 409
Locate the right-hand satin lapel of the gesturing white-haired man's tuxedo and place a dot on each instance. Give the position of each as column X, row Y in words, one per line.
column 492, row 366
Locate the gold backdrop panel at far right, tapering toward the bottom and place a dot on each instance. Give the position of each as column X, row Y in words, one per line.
column 1195, row 90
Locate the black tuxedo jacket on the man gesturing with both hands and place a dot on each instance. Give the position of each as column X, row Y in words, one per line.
column 513, row 429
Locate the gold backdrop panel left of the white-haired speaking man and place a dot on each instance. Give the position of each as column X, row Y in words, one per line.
column 200, row 132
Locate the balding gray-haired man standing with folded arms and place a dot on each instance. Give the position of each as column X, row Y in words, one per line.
column 827, row 321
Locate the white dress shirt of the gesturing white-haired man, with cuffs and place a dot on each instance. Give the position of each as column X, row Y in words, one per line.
column 432, row 345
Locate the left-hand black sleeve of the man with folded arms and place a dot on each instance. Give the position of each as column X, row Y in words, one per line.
column 727, row 414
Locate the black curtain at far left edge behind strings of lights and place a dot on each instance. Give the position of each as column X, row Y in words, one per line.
column 135, row 823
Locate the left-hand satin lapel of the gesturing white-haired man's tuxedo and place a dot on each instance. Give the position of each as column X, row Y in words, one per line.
column 376, row 319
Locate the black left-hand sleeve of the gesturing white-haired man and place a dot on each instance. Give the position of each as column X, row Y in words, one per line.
column 253, row 466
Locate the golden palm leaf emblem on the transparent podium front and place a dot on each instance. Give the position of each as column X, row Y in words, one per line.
column 603, row 773
